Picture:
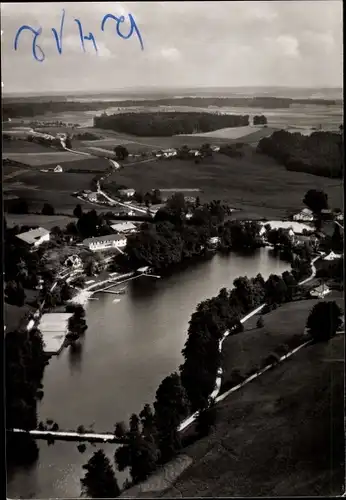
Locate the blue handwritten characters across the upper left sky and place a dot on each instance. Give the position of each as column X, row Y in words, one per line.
column 38, row 53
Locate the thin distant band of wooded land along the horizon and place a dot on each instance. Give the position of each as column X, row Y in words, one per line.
column 31, row 108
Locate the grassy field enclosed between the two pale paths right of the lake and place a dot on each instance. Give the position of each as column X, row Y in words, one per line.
column 285, row 325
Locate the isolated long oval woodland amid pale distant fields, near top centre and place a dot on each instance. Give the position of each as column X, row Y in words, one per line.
column 164, row 124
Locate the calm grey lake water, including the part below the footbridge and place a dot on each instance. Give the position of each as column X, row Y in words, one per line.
column 129, row 347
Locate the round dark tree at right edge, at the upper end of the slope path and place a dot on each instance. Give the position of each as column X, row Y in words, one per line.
column 324, row 321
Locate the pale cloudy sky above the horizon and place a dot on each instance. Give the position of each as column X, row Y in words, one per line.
column 186, row 44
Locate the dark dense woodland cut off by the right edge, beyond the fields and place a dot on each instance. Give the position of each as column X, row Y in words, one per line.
column 321, row 153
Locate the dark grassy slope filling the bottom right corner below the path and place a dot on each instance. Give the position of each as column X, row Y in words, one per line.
column 282, row 434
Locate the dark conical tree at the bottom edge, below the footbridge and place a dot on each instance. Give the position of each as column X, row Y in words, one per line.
column 99, row 480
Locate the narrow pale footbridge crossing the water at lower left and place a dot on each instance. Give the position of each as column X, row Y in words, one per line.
column 91, row 437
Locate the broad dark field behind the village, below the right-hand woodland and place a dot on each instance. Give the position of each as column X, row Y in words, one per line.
column 255, row 184
